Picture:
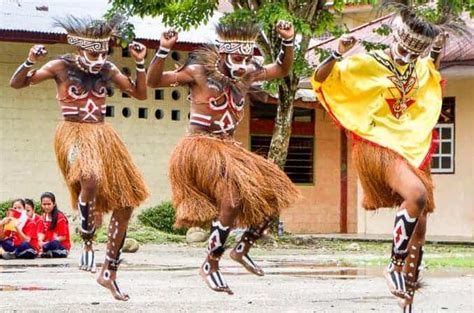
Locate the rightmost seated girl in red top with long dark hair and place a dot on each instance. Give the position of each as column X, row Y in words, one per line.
column 54, row 235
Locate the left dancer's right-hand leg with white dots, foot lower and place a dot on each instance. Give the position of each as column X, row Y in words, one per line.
column 115, row 239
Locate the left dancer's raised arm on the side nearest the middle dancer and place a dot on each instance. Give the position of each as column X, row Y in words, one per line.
column 135, row 89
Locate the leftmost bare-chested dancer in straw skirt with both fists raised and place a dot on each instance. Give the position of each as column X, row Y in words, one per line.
column 96, row 165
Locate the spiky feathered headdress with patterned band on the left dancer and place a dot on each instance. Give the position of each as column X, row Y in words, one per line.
column 88, row 33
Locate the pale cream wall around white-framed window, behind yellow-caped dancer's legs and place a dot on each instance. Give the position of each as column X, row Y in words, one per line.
column 454, row 193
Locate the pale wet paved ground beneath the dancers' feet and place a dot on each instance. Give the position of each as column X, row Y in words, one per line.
column 165, row 279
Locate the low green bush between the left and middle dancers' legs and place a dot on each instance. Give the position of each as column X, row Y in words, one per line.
column 161, row 217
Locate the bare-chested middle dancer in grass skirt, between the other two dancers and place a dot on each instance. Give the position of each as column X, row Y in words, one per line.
column 212, row 177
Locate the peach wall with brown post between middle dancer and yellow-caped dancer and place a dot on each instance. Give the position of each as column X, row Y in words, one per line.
column 318, row 211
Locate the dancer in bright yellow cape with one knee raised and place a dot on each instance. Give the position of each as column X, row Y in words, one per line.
column 390, row 102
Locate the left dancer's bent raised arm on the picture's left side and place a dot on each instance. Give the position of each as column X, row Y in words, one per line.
column 25, row 75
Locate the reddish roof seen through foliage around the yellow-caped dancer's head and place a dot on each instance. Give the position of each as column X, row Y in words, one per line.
column 455, row 50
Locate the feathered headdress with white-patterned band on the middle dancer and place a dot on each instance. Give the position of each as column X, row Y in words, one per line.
column 237, row 38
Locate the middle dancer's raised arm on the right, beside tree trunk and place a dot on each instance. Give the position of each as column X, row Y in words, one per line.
column 284, row 62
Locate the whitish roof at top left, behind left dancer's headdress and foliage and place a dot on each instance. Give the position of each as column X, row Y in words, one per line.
column 36, row 16
